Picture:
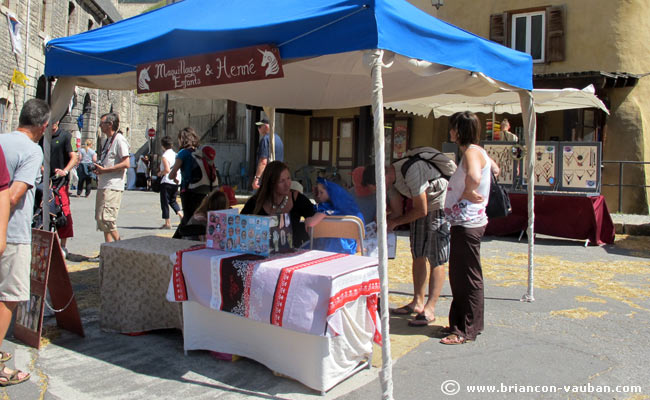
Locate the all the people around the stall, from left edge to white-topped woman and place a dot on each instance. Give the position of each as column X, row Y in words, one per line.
column 447, row 215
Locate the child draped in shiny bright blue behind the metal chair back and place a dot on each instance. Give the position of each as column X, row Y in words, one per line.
column 334, row 200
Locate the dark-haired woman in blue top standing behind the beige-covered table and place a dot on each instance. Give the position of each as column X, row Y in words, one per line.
column 188, row 141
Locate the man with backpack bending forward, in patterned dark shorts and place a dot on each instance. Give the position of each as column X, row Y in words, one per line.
column 422, row 177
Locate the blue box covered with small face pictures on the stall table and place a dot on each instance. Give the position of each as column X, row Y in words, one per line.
column 253, row 234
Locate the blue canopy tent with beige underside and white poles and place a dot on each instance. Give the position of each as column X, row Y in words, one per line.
column 335, row 54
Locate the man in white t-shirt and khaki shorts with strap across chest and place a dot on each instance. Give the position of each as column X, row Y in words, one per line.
column 111, row 171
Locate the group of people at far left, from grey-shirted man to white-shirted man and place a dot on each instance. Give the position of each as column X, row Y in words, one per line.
column 21, row 166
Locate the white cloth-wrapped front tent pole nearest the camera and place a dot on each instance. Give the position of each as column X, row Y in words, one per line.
column 376, row 64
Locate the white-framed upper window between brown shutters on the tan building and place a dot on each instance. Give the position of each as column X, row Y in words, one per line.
column 528, row 34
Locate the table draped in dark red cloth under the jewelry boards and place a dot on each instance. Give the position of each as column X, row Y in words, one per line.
column 568, row 216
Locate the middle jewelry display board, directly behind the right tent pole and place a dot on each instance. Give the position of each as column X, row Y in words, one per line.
column 546, row 166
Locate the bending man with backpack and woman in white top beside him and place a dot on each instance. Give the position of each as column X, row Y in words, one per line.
column 447, row 221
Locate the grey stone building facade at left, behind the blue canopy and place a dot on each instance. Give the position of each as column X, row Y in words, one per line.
column 41, row 21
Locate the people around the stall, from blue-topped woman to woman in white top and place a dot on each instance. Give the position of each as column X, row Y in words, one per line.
column 446, row 217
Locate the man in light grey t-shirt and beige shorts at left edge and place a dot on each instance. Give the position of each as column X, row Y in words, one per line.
column 24, row 158
